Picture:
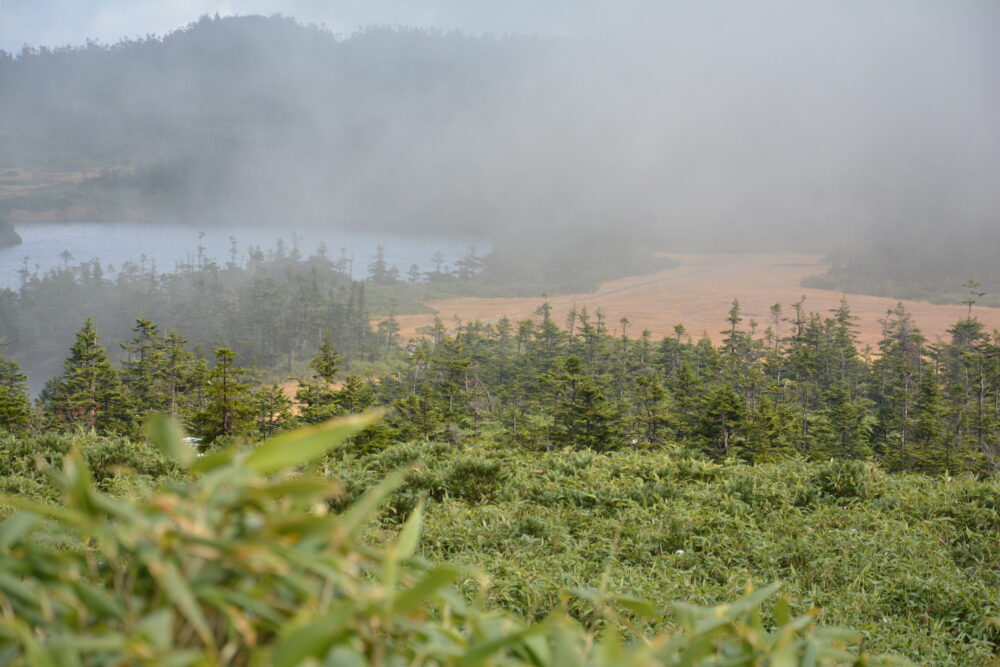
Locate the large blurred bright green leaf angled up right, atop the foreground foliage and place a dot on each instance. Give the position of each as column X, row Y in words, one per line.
column 304, row 445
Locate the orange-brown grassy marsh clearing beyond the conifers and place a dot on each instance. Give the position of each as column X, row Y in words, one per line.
column 698, row 294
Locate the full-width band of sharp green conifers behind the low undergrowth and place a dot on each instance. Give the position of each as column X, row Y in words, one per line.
column 799, row 388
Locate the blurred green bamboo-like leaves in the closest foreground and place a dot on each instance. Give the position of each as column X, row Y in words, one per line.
column 240, row 563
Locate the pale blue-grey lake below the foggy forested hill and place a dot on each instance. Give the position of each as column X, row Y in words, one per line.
column 170, row 244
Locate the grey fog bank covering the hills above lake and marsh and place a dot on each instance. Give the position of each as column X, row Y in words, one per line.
column 696, row 125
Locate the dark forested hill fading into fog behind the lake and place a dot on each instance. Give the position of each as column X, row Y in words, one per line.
column 265, row 117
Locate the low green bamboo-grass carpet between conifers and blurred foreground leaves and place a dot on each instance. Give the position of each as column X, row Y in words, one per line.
column 909, row 560
